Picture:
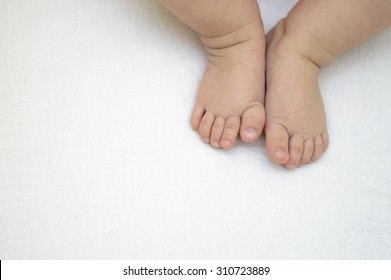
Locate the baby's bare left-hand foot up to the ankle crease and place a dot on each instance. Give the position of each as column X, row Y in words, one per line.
column 230, row 98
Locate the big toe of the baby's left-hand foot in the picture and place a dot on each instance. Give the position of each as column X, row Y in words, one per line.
column 253, row 120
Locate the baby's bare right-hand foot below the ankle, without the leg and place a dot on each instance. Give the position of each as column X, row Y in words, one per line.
column 296, row 132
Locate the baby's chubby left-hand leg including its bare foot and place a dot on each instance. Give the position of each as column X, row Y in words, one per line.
column 230, row 98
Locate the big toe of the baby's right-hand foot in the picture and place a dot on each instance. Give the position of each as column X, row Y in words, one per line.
column 277, row 139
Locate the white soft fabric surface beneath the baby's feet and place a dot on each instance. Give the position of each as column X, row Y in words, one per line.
column 98, row 160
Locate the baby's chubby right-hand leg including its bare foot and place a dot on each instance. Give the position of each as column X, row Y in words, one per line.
column 311, row 36
